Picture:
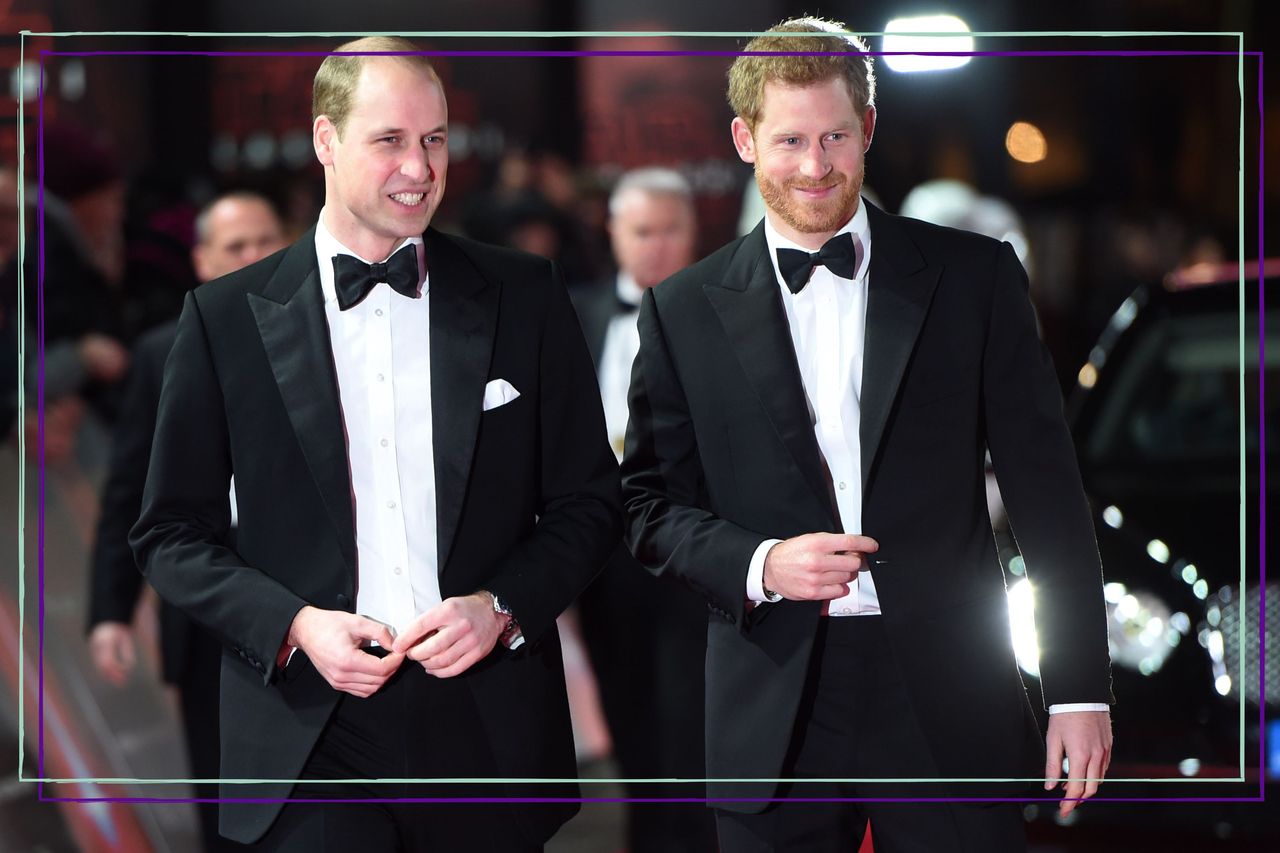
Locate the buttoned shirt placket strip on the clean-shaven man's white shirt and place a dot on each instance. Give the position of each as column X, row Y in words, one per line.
column 382, row 419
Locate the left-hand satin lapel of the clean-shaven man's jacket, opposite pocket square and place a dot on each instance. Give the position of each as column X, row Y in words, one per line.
column 291, row 321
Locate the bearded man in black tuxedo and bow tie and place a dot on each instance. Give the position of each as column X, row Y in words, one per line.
column 811, row 409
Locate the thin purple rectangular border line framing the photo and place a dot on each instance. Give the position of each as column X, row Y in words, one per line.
column 40, row 445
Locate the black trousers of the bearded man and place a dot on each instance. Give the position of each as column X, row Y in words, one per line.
column 856, row 722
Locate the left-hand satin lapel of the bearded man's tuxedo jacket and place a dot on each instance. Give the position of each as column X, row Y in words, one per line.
column 749, row 305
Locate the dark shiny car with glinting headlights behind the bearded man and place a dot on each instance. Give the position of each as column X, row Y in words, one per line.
column 1172, row 425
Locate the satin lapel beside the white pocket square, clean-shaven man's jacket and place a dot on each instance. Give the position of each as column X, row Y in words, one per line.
column 464, row 323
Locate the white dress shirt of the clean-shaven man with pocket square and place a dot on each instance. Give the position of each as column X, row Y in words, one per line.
column 383, row 362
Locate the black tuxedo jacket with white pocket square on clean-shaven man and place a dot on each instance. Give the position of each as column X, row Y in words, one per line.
column 527, row 494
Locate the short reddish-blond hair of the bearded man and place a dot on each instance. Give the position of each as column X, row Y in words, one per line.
column 748, row 75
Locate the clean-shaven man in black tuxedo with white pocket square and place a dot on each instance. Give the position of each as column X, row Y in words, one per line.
column 423, row 485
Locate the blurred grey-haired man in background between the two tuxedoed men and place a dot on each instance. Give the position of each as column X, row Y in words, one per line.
column 647, row 636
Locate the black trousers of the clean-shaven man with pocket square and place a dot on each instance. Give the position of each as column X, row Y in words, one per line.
column 418, row 727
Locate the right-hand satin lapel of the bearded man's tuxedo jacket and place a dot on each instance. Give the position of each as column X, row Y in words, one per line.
column 900, row 289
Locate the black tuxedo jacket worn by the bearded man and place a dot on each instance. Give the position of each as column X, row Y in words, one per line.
column 721, row 455
